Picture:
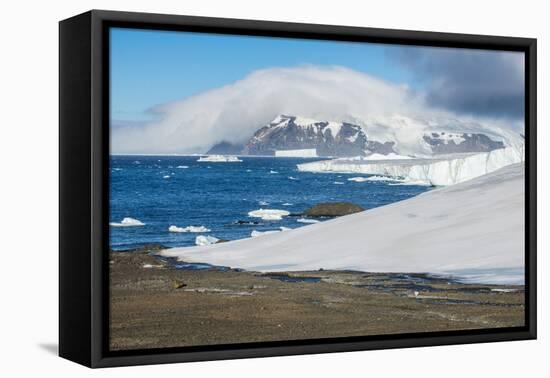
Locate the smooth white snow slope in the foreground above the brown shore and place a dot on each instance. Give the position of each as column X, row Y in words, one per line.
column 474, row 230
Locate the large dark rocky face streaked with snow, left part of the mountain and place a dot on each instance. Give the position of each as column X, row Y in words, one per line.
column 293, row 133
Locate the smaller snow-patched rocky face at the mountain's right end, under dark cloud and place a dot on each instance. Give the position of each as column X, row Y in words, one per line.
column 442, row 143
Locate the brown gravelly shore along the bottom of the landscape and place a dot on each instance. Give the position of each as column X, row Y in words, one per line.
column 157, row 304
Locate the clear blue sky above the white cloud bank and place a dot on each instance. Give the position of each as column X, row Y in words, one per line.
column 150, row 68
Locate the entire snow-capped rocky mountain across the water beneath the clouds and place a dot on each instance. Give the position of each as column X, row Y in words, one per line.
column 382, row 135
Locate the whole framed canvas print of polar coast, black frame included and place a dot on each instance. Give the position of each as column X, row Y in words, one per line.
column 234, row 188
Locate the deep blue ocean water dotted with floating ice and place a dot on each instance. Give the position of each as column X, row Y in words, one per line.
column 161, row 191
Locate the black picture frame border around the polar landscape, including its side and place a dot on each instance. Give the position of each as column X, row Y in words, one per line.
column 83, row 181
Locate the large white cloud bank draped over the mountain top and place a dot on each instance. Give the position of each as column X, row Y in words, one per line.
column 234, row 112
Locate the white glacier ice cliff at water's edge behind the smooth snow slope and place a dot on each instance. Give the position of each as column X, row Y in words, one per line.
column 448, row 170
